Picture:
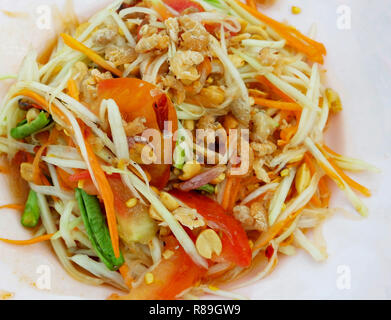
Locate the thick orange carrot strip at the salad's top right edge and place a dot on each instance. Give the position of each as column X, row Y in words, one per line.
column 311, row 48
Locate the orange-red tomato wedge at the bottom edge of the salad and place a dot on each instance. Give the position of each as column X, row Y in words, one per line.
column 171, row 277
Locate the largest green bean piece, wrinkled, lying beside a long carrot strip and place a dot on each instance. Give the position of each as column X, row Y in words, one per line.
column 97, row 230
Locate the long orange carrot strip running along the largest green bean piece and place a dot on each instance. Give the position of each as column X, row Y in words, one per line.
column 107, row 195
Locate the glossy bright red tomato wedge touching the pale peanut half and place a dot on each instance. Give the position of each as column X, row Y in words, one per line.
column 236, row 247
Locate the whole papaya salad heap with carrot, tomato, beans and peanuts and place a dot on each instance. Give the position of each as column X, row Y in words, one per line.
column 73, row 130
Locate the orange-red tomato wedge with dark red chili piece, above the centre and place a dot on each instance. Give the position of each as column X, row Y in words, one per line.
column 137, row 98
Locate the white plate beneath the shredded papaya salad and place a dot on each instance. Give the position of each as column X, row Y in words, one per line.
column 358, row 66
